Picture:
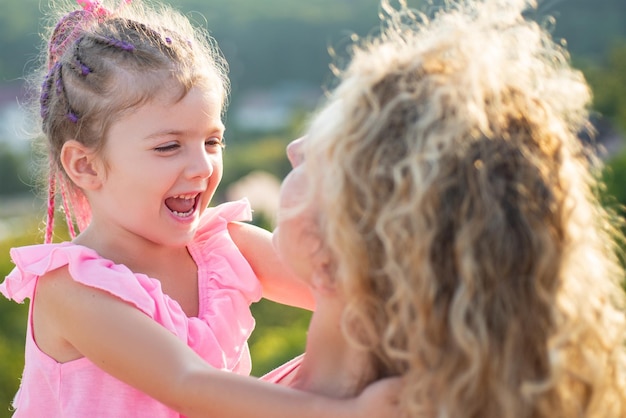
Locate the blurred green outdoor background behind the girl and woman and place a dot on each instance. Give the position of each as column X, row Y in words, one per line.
column 278, row 51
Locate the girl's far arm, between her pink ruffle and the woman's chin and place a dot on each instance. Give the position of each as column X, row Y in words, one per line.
column 279, row 283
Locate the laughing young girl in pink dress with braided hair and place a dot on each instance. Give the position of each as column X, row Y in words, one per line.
column 140, row 312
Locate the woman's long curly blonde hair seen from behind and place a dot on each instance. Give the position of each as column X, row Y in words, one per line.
column 462, row 213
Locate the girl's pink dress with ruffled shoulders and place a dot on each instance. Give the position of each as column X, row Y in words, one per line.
column 77, row 389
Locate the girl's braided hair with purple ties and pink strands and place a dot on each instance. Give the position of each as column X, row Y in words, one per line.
column 104, row 61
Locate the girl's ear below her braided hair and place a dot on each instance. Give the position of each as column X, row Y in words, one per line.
column 81, row 165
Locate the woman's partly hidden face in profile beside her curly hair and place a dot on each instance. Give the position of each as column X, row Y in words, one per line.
column 296, row 237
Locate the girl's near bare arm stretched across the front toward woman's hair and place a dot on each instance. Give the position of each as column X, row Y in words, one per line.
column 130, row 346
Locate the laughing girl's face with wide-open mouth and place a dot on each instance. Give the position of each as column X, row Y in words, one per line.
column 162, row 165
